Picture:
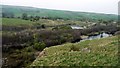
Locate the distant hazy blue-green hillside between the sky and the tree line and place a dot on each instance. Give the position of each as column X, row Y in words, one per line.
column 19, row 10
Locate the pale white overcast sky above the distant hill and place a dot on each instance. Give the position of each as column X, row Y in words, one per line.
column 98, row 6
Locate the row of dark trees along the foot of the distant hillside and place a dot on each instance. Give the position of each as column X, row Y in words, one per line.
column 25, row 16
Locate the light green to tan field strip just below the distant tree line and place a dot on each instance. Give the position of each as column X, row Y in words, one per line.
column 18, row 22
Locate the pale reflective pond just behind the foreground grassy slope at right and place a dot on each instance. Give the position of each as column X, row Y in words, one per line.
column 102, row 35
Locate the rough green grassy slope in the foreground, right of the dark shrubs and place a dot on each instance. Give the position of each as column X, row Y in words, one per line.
column 98, row 52
